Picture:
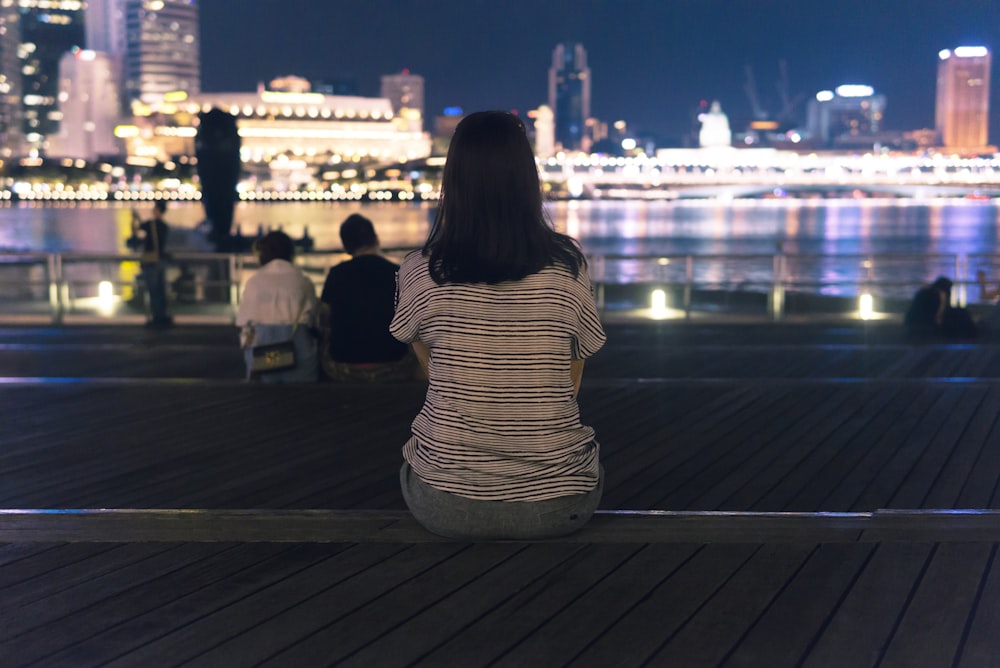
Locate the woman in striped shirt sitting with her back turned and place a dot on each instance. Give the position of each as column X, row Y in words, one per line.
column 499, row 308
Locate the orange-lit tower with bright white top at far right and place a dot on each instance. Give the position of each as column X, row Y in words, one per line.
column 963, row 98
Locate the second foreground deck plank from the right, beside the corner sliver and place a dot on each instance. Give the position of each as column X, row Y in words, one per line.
column 931, row 629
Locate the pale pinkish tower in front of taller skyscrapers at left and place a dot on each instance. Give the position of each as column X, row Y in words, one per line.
column 90, row 103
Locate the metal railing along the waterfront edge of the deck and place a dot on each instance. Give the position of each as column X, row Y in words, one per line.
column 205, row 287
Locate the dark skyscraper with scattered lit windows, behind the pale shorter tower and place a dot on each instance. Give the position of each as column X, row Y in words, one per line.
column 48, row 30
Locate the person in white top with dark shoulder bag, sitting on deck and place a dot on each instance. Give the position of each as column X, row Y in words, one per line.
column 279, row 304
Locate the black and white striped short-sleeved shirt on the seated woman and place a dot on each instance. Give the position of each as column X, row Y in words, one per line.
column 500, row 421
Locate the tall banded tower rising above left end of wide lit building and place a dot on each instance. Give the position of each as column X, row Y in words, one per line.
column 161, row 48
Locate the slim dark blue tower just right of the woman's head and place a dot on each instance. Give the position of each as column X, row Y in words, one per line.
column 569, row 94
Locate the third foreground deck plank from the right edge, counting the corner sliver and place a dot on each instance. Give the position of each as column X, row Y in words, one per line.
column 863, row 623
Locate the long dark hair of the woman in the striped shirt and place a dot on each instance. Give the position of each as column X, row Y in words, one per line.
column 490, row 226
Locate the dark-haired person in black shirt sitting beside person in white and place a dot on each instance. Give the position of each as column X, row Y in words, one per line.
column 358, row 300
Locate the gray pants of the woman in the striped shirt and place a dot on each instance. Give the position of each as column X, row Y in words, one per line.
column 462, row 518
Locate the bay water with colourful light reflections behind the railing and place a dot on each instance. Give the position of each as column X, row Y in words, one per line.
column 823, row 239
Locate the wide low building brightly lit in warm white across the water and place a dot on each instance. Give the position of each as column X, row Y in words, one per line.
column 279, row 128
